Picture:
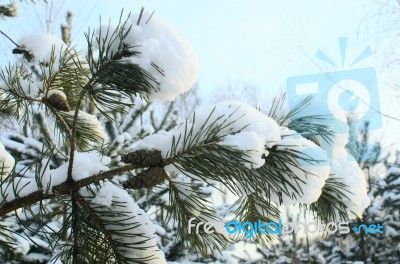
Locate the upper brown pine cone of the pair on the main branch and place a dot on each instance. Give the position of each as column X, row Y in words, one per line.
column 143, row 158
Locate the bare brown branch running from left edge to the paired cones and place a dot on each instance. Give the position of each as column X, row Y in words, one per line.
column 62, row 189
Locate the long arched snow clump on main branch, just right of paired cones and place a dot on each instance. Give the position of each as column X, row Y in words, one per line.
column 242, row 127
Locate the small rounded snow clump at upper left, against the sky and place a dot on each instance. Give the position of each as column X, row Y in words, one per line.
column 41, row 46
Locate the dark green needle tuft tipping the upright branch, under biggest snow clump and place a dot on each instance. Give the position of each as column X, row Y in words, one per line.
column 116, row 77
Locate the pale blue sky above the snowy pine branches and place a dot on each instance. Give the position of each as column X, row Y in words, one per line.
column 257, row 42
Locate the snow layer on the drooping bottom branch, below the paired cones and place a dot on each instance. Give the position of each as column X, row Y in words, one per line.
column 140, row 231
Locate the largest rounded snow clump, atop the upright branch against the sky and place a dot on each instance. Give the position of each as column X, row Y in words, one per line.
column 160, row 44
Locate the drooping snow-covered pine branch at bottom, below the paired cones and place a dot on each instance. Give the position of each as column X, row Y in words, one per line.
column 117, row 232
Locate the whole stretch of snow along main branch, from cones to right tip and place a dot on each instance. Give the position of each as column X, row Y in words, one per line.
column 252, row 132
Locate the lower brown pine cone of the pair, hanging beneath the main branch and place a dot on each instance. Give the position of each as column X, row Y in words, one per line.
column 146, row 179
